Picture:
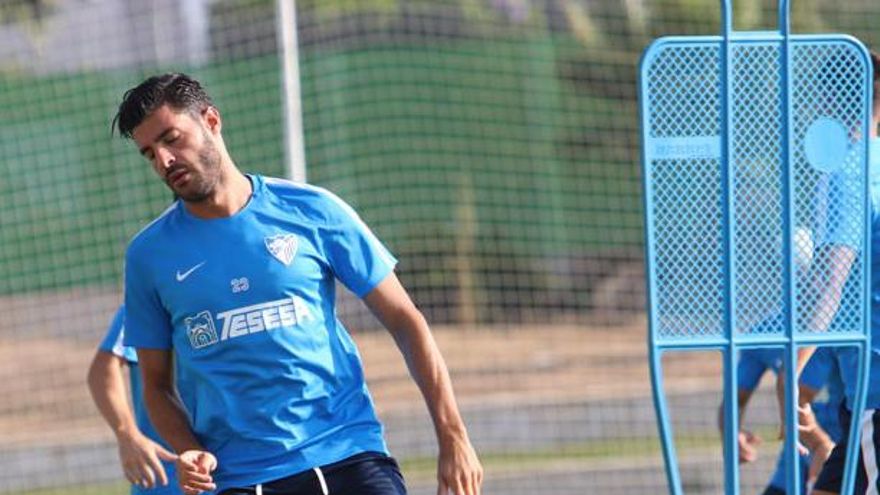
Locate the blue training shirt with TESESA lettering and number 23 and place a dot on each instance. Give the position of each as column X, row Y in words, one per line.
column 270, row 377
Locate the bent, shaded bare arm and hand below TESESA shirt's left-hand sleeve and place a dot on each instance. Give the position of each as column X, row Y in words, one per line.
column 194, row 464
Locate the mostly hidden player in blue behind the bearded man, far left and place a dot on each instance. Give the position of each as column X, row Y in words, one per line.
column 145, row 460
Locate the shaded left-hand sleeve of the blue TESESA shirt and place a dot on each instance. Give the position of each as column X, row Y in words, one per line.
column 147, row 324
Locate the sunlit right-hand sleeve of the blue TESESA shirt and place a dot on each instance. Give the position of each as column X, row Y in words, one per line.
column 357, row 257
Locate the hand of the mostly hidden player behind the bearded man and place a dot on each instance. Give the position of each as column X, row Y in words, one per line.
column 140, row 459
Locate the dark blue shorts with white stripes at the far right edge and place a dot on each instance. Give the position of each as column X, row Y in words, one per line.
column 831, row 477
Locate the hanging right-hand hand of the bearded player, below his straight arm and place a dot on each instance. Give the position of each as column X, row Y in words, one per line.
column 459, row 471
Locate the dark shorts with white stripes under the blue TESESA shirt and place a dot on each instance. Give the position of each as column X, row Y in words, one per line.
column 370, row 473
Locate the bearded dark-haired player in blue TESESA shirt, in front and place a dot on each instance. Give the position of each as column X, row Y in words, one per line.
column 235, row 285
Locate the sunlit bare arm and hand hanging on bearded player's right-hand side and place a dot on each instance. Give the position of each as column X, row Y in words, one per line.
column 459, row 469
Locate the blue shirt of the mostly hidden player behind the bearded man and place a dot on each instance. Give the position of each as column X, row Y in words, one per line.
column 112, row 343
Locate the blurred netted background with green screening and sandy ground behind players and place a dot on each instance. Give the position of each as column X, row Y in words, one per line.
column 492, row 144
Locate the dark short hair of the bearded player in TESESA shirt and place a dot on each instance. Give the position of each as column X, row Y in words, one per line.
column 179, row 91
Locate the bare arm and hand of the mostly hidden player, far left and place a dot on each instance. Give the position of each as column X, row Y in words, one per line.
column 139, row 455
